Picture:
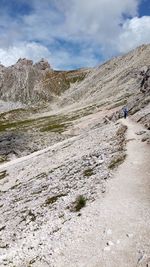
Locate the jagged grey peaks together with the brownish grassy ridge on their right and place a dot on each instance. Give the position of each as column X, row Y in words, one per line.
column 26, row 82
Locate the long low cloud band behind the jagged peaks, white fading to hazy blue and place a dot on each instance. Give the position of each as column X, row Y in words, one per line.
column 59, row 59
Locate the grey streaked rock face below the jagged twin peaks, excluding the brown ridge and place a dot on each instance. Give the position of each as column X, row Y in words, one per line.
column 20, row 82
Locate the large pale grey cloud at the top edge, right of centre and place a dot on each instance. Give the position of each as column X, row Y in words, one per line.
column 98, row 19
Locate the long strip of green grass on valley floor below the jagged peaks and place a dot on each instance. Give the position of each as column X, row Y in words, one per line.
column 54, row 123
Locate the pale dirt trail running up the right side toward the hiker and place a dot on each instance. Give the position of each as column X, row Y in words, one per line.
column 119, row 234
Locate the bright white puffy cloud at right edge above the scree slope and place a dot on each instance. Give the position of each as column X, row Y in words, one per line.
column 135, row 32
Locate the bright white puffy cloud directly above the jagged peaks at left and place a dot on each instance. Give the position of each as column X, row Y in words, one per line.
column 23, row 50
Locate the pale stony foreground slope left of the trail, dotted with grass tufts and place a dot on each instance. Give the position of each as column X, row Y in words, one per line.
column 57, row 171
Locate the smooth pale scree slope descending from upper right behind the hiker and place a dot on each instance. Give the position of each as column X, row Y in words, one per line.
column 117, row 79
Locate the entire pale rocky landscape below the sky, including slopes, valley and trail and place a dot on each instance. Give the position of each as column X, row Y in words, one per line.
column 75, row 156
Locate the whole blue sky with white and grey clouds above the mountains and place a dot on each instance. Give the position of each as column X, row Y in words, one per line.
column 71, row 34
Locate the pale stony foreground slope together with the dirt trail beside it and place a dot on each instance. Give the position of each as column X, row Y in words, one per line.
column 112, row 230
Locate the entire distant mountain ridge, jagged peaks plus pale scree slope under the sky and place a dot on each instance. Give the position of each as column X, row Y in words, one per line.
column 118, row 78
